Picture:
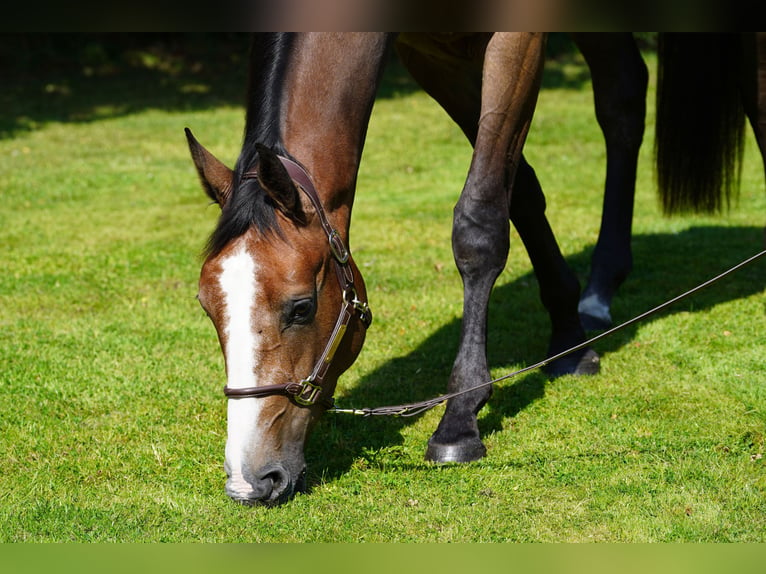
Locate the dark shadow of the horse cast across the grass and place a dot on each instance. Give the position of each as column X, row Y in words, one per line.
column 665, row 266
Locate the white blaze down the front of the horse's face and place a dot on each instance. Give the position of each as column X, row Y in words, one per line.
column 237, row 281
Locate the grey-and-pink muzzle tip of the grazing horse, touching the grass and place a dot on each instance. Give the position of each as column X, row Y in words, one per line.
column 273, row 485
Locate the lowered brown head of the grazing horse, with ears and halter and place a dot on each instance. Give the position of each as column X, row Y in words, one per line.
column 285, row 298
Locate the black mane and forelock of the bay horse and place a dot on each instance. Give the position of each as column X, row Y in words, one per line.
column 249, row 205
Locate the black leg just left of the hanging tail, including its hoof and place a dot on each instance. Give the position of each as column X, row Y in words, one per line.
column 620, row 79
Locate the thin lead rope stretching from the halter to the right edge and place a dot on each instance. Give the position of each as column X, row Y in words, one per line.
column 412, row 409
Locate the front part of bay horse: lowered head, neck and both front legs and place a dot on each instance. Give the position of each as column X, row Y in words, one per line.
column 279, row 282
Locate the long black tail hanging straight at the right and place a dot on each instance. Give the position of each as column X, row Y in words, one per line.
column 699, row 137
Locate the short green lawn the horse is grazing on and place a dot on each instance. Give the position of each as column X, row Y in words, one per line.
column 112, row 420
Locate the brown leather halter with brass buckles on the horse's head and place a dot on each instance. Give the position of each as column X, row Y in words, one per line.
column 307, row 391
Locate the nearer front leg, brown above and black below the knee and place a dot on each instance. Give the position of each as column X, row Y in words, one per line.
column 480, row 233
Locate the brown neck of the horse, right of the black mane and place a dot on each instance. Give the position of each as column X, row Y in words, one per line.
column 329, row 92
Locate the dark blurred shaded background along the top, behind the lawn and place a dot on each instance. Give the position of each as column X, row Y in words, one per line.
column 87, row 76
